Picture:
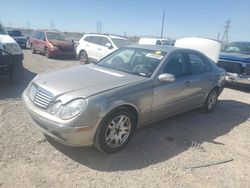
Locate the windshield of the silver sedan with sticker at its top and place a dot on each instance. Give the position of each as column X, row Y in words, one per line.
column 135, row 61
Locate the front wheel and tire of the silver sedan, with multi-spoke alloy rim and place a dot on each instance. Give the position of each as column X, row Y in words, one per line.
column 112, row 136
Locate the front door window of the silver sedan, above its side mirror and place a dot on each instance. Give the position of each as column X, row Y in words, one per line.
column 176, row 65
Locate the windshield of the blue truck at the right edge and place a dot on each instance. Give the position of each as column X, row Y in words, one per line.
column 238, row 47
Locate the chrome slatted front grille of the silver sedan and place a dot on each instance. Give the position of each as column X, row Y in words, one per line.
column 39, row 96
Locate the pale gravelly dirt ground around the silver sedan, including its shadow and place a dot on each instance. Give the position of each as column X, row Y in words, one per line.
column 155, row 157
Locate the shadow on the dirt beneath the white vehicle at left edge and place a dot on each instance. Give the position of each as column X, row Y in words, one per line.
column 12, row 90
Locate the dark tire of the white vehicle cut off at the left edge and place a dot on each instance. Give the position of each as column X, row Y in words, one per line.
column 16, row 72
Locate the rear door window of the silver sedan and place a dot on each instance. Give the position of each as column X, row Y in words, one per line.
column 198, row 64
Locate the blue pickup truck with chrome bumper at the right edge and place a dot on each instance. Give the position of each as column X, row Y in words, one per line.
column 235, row 59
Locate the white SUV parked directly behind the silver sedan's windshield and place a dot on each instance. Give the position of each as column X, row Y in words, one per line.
column 93, row 47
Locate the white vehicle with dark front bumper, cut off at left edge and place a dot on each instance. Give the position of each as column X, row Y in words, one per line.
column 11, row 56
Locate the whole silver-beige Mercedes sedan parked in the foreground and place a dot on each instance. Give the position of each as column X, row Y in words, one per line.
column 102, row 104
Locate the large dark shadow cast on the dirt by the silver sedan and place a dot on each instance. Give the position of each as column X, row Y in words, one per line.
column 163, row 140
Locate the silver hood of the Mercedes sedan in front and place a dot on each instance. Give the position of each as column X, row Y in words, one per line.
column 87, row 80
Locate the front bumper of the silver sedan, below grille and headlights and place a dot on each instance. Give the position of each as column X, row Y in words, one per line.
column 59, row 131
